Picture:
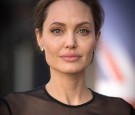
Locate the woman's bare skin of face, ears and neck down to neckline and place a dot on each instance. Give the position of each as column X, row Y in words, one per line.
column 68, row 40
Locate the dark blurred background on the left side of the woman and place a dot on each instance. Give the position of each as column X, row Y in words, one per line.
column 22, row 67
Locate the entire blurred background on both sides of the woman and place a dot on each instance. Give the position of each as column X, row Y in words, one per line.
column 23, row 68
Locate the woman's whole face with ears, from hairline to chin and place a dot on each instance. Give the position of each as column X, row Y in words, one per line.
column 68, row 36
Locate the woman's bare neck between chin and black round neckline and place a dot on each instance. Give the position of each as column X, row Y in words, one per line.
column 68, row 88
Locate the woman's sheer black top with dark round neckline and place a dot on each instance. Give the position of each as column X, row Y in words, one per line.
column 39, row 102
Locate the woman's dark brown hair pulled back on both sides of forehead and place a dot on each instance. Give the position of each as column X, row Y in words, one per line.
column 41, row 9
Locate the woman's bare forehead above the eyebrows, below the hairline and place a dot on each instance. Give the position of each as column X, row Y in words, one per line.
column 69, row 10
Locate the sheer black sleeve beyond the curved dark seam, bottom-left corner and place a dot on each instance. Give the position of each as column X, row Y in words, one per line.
column 4, row 107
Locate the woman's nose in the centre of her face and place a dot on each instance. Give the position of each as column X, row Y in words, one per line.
column 70, row 41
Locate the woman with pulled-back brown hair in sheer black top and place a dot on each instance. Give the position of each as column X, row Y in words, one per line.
column 67, row 31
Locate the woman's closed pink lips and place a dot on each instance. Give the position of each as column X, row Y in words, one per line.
column 70, row 57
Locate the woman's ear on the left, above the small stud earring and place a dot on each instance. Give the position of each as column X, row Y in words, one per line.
column 39, row 38
